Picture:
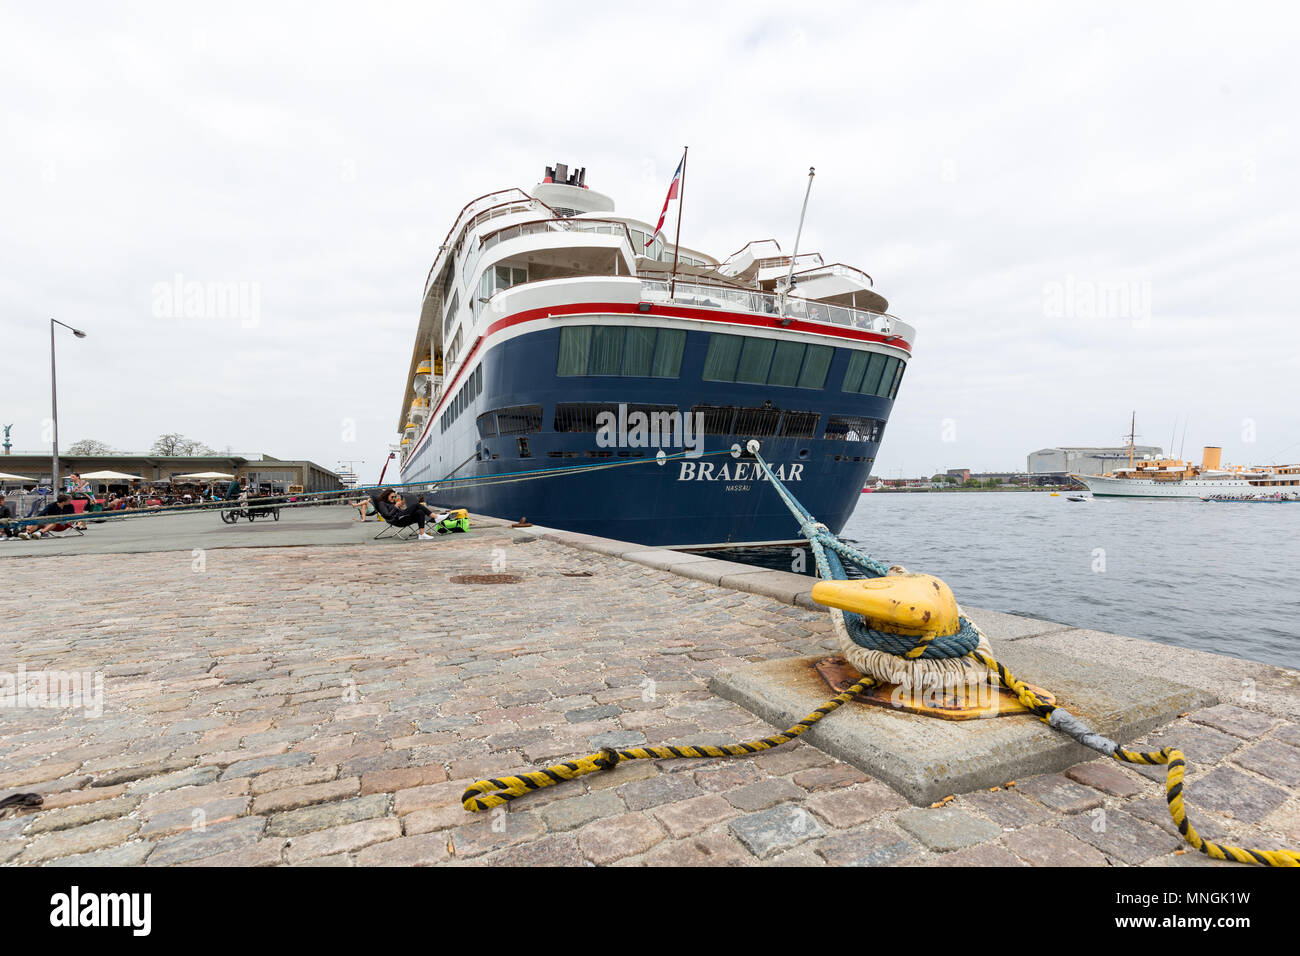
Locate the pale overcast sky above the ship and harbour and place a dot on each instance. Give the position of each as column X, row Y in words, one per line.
column 1084, row 211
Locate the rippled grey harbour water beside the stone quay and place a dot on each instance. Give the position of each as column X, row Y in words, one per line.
column 1208, row 577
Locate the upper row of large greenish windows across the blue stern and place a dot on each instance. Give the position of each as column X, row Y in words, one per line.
column 652, row 353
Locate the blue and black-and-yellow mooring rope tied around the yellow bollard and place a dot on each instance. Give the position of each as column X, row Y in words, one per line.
column 830, row 553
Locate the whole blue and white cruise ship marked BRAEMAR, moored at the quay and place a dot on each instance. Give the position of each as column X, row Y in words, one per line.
column 574, row 369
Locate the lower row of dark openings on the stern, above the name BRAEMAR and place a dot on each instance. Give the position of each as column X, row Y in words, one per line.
column 718, row 419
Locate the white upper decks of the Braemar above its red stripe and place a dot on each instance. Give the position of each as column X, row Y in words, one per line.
column 513, row 239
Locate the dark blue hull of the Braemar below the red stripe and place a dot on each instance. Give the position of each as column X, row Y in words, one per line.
column 712, row 500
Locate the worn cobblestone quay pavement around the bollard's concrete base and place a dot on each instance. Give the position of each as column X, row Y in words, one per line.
column 328, row 706
